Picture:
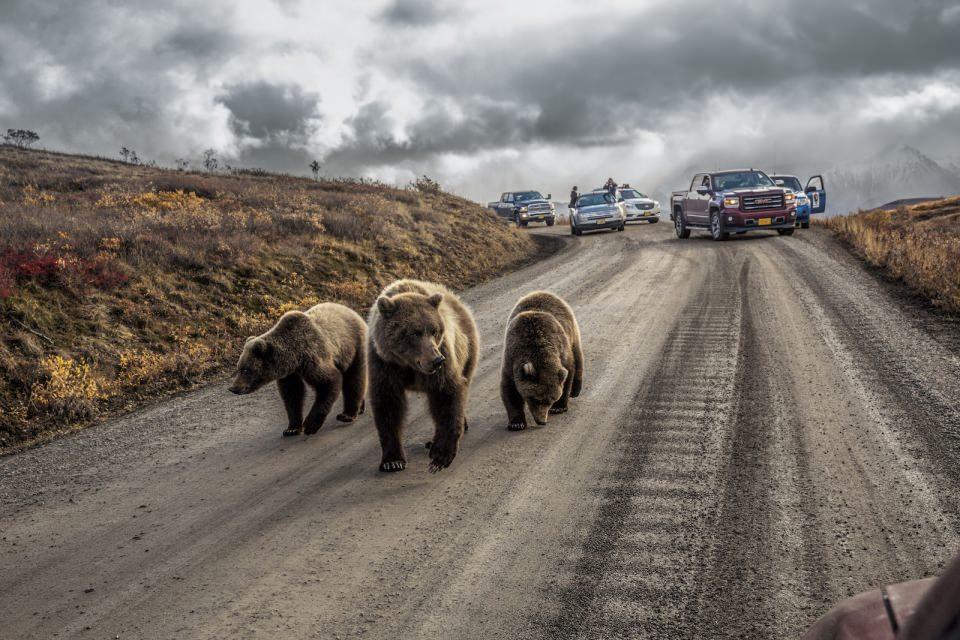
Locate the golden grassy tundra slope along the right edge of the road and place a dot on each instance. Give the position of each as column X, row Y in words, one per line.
column 919, row 245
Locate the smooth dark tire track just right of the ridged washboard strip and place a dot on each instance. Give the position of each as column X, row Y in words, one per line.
column 765, row 565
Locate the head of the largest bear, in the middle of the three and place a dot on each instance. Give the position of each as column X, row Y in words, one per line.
column 411, row 331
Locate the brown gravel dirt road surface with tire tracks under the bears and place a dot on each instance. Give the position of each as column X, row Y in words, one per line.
column 765, row 429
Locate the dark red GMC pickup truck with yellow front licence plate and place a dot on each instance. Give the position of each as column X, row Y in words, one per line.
column 726, row 202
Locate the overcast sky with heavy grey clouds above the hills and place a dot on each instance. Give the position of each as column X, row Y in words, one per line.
column 488, row 95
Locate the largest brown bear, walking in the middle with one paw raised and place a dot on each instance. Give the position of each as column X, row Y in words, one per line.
column 422, row 338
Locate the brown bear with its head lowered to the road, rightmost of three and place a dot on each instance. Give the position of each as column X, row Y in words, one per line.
column 542, row 359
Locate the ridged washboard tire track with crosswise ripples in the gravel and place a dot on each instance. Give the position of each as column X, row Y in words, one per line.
column 638, row 573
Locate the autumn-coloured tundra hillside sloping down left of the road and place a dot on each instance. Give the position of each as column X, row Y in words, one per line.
column 119, row 283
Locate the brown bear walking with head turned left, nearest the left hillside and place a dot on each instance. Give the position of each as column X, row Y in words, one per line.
column 322, row 347
